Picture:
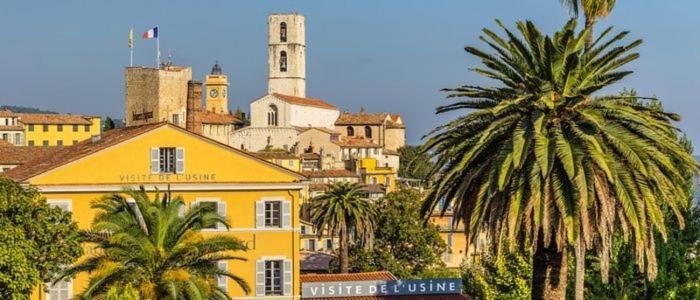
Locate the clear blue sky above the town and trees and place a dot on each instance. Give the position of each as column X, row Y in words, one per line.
column 390, row 56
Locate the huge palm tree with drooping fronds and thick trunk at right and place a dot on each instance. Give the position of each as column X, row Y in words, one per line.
column 540, row 162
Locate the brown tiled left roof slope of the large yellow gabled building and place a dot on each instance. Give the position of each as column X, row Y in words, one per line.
column 65, row 155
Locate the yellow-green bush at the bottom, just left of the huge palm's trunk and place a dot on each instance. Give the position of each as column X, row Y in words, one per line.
column 506, row 276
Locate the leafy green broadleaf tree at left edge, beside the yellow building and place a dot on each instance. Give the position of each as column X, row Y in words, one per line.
column 37, row 240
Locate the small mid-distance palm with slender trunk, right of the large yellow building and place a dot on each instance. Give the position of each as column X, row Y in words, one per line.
column 344, row 213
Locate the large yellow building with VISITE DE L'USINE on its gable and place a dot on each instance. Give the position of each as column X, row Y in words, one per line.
column 259, row 199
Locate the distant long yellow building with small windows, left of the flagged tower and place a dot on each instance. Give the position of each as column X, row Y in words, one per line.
column 58, row 129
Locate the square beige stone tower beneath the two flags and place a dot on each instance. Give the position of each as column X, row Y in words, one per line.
column 156, row 95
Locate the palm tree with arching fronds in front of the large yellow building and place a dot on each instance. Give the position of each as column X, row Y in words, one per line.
column 158, row 249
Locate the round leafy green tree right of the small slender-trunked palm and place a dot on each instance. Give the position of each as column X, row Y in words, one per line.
column 403, row 244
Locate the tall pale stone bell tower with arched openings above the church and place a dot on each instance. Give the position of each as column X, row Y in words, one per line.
column 286, row 55
